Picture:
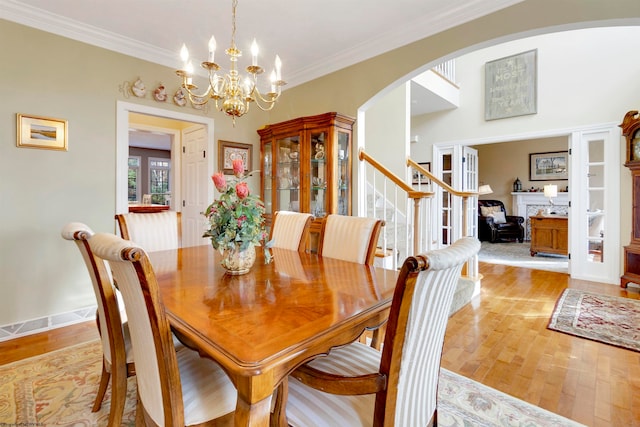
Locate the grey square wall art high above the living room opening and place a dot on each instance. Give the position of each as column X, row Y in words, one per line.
column 510, row 87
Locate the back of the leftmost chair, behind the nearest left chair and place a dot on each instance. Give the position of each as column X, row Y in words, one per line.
column 109, row 319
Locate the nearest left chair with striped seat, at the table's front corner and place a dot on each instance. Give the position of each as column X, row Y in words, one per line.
column 174, row 388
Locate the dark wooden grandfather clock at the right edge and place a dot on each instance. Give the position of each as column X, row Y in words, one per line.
column 631, row 131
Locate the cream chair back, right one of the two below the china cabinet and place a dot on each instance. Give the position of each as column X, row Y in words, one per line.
column 350, row 238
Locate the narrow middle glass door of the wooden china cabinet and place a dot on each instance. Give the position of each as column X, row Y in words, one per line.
column 318, row 174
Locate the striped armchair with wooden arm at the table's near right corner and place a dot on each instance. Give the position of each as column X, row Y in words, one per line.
column 398, row 386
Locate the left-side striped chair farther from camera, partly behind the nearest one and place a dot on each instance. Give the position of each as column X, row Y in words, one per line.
column 117, row 361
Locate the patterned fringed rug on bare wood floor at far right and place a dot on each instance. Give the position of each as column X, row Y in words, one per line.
column 603, row 318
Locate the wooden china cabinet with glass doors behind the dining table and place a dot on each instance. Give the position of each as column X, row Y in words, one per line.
column 306, row 166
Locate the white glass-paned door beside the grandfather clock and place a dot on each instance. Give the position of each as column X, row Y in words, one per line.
column 594, row 228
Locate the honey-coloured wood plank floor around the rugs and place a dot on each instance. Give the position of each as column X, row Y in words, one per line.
column 500, row 340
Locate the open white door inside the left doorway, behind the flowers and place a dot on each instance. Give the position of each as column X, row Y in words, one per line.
column 195, row 180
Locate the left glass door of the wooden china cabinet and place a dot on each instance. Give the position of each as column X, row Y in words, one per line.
column 288, row 174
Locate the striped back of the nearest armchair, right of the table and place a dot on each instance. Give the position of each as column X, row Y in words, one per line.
column 415, row 334
